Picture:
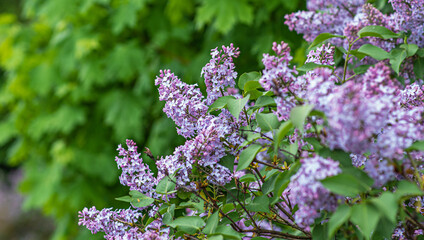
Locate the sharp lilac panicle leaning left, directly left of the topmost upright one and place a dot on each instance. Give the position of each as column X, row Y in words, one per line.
column 184, row 102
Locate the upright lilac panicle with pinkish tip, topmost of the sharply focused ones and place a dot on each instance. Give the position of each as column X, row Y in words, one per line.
column 219, row 72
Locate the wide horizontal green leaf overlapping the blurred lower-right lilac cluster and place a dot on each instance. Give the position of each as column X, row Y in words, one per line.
column 345, row 184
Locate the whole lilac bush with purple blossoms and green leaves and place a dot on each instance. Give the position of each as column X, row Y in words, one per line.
column 332, row 149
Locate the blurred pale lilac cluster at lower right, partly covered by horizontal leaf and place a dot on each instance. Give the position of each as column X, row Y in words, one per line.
column 308, row 193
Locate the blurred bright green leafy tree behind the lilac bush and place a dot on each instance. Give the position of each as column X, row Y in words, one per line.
column 77, row 79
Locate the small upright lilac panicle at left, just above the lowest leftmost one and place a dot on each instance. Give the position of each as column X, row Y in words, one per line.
column 135, row 173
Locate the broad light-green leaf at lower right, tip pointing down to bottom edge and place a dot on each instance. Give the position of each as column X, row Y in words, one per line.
column 366, row 217
